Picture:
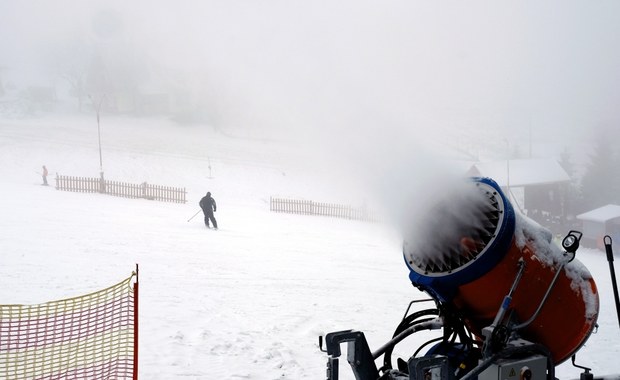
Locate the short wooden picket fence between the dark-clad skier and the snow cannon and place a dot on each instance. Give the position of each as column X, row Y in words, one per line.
column 306, row 207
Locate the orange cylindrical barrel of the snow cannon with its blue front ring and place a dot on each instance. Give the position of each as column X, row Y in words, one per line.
column 466, row 253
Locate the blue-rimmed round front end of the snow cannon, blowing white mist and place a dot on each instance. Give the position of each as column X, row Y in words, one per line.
column 463, row 237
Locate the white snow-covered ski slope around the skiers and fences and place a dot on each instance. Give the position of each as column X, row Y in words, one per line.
column 247, row 301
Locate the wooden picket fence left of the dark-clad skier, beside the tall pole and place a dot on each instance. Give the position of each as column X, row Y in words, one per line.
column 121, row 189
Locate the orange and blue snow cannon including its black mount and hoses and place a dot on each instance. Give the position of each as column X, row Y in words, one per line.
column 510, row 303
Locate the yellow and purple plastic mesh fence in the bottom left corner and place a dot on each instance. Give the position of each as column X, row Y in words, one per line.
column 86, row 337
